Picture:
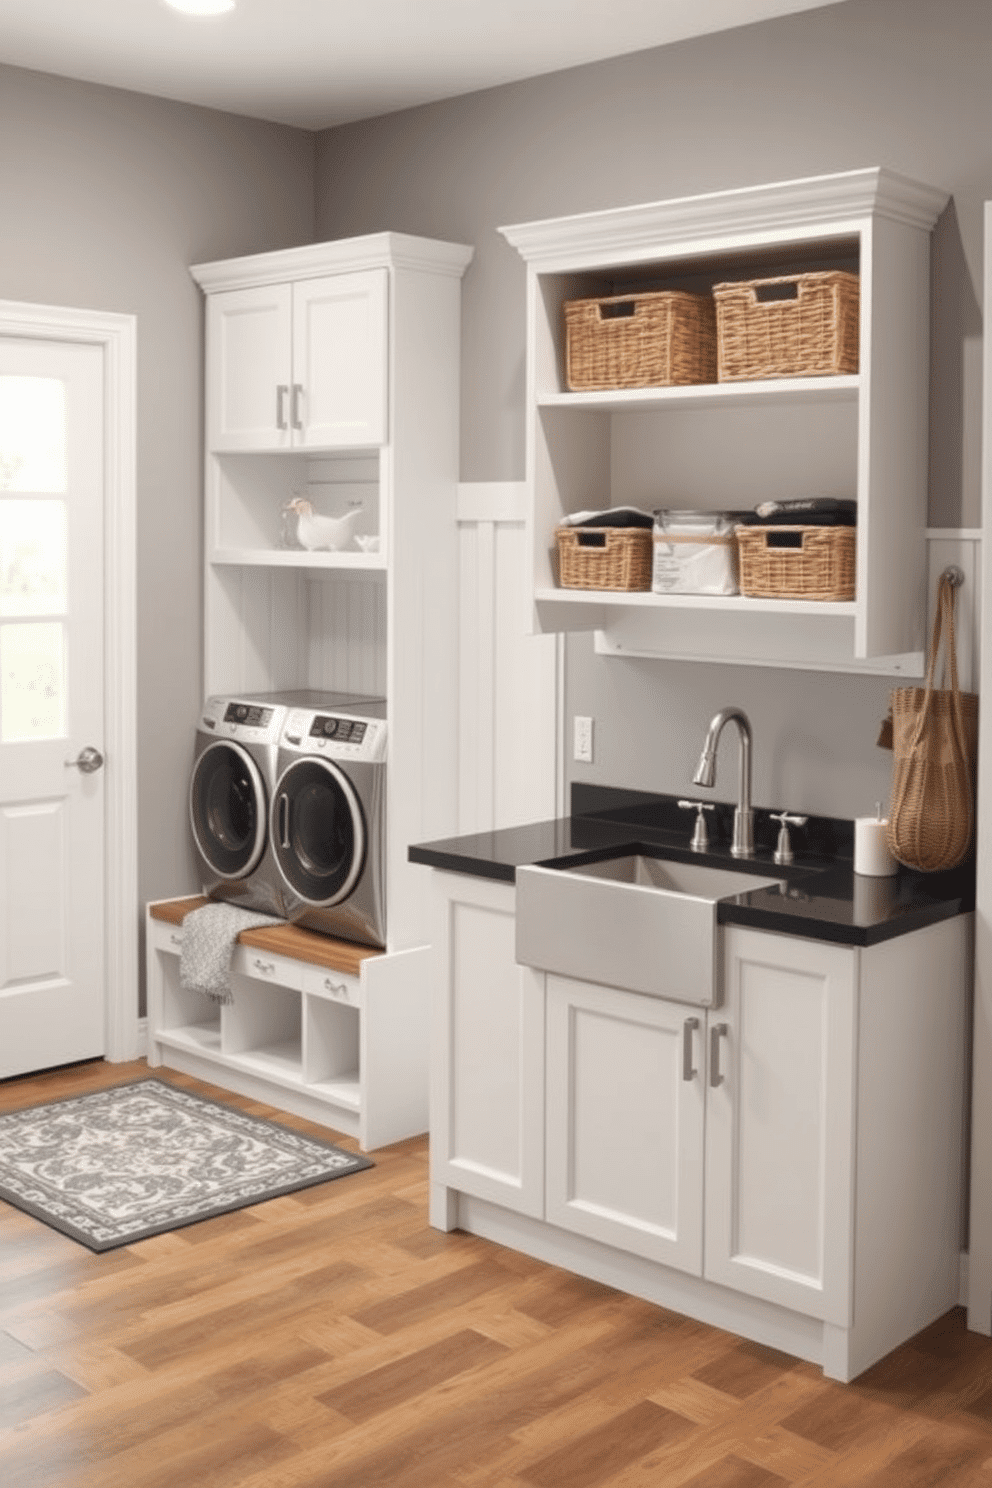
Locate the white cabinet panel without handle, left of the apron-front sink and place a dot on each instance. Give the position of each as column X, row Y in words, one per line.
column 487, row 1117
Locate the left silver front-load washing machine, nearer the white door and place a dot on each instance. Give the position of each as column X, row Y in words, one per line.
column 231, row 788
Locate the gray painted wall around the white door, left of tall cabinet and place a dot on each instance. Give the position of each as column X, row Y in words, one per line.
column 108, row 199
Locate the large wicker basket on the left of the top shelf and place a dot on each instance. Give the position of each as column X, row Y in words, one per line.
column 658, row 340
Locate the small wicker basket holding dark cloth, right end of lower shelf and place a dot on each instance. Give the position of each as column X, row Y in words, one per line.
column 796, row 563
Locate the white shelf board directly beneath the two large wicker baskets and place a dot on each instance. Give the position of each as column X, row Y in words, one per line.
column 776, row 392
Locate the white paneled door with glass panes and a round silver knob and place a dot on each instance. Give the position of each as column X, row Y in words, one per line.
column 53, row 471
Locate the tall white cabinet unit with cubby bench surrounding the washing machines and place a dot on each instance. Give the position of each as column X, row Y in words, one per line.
column 332, row 376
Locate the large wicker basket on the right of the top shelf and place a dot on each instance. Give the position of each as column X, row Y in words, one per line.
column 799, row 325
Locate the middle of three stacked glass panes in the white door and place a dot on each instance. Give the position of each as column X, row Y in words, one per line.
column 33, row 557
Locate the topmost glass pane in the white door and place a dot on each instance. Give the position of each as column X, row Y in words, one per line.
column 32, row 434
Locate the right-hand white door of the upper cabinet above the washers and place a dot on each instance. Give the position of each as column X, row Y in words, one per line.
column 340, row 361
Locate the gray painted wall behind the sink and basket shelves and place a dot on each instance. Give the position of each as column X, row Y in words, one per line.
column 869, row 83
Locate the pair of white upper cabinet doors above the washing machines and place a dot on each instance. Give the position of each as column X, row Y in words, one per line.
column 298, row 365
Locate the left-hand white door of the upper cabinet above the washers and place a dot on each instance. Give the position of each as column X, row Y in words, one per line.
column 249, row 368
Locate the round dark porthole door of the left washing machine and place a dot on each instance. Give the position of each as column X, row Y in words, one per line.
column 228, row 810
